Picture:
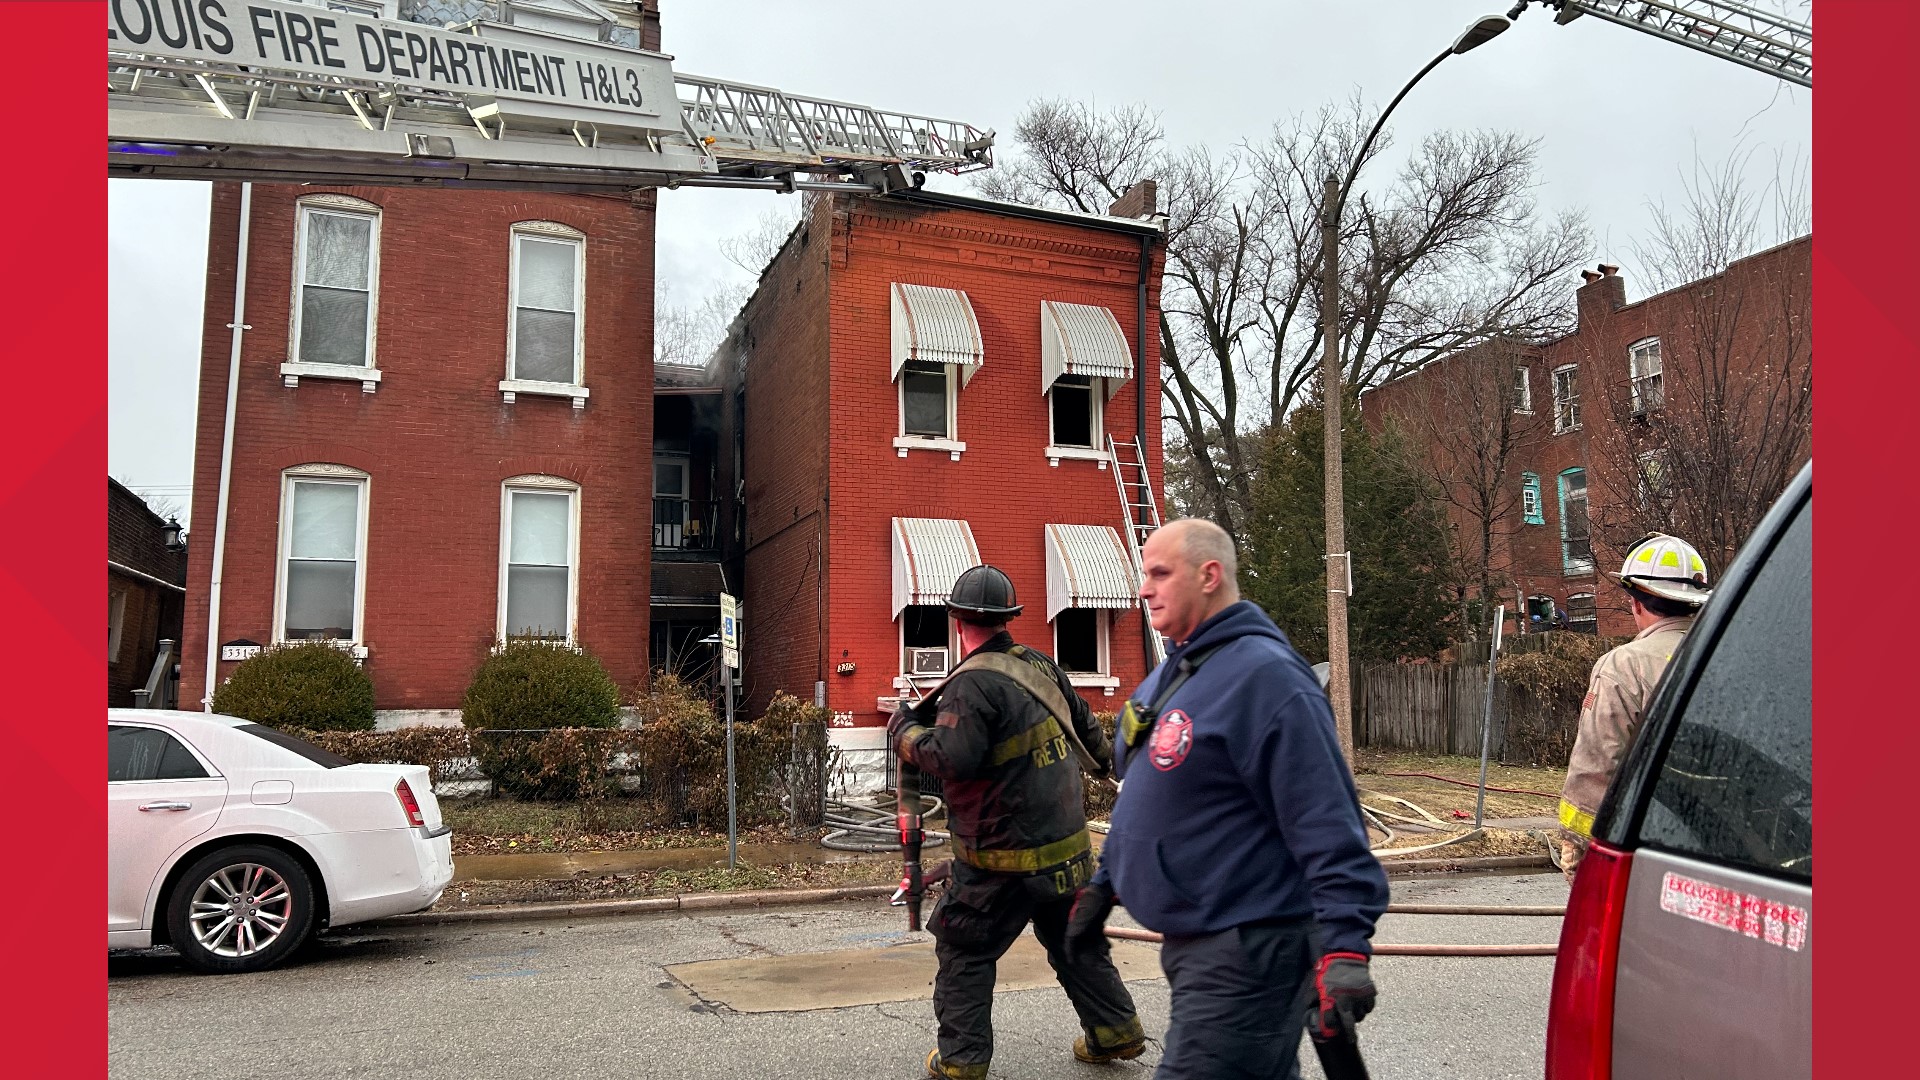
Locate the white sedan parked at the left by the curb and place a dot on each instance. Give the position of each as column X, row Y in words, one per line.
column 235, row 843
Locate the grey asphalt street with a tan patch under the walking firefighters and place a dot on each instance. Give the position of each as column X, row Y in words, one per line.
column 592, row 998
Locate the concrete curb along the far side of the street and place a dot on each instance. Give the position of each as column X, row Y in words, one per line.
column 782, row 896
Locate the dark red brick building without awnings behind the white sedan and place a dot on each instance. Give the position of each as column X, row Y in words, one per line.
column 443, row 430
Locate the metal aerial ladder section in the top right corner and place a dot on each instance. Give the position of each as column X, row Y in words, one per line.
column 1729, row 30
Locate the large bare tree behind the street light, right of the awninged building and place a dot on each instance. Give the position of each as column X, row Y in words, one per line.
column 1452, row 253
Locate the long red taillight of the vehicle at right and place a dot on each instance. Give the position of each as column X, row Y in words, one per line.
column 1581, row 1014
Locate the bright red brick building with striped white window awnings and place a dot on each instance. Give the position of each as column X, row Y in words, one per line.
column 932, row 381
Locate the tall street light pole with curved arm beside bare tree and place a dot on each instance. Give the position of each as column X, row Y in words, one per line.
column 1339, row 558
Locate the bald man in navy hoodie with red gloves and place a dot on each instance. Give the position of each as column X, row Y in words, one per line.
column 1237, row 833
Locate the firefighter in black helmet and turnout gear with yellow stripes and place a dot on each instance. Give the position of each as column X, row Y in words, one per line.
column 1019, row 823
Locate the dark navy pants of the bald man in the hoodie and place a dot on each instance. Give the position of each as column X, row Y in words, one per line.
column 1237, row 1002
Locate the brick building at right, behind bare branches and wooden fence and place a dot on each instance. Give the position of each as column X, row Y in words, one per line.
column 1550, row 454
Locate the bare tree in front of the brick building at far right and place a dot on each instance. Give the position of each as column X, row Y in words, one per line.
column 1706, row 439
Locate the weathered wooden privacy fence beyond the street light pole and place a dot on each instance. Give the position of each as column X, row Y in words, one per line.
column 1437, row 708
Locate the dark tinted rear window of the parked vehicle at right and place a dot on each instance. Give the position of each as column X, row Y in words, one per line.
column 1737, row 783
